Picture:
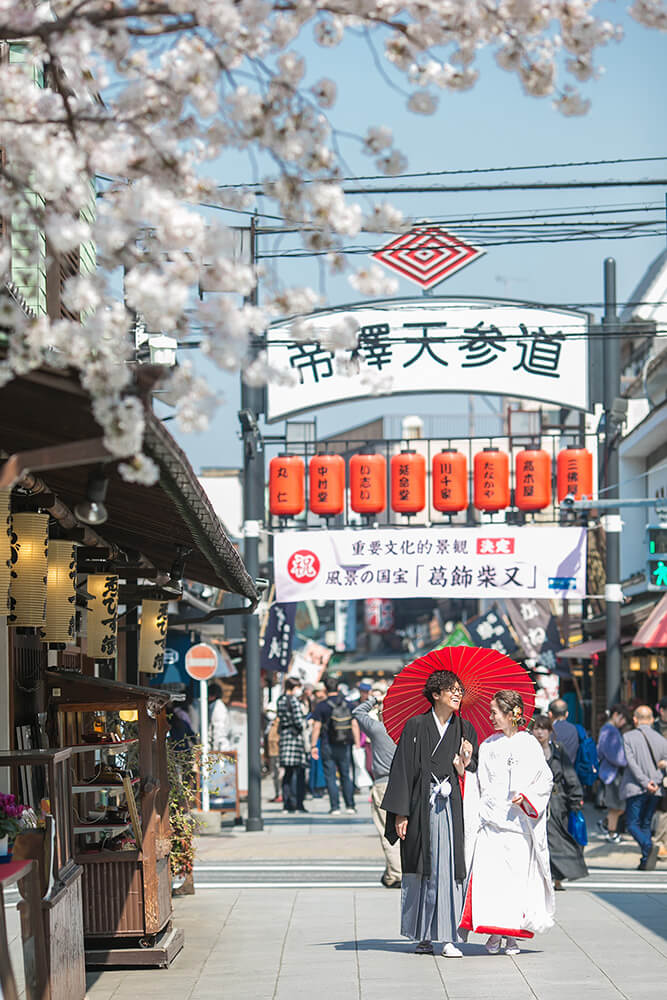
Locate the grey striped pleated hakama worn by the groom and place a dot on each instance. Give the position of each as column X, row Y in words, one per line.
column 431, row 907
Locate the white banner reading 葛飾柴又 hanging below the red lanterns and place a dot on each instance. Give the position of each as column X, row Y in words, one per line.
column 490, row 561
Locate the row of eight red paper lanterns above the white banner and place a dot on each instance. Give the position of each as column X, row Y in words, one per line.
column 368, row 481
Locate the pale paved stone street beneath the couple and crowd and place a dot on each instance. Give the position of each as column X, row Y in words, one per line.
column 296, row 911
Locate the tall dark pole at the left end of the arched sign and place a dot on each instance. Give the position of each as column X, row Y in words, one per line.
column 252, row 405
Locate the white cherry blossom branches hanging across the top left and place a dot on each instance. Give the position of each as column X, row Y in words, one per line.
column 115, row 114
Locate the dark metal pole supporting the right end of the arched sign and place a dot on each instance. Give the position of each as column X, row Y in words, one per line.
column 612, row 519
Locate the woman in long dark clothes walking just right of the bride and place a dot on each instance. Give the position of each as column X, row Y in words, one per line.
column 565, row 854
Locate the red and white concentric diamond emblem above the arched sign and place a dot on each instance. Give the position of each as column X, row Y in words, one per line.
column 427, row 255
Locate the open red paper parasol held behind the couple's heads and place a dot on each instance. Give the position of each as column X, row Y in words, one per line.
column 481, row 671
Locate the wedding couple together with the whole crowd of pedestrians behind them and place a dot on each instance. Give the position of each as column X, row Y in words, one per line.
column 460, row 823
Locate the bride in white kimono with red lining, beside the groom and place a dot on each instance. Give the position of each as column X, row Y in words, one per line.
column 510, row 894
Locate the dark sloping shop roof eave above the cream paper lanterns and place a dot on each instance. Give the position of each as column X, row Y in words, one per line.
column 46, row 409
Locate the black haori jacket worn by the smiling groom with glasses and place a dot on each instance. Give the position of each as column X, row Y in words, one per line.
column 409, row 789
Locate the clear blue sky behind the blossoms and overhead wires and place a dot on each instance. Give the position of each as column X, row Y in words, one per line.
column 495, row 124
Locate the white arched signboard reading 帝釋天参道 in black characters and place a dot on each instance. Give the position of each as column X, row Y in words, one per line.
column 432, row 344
